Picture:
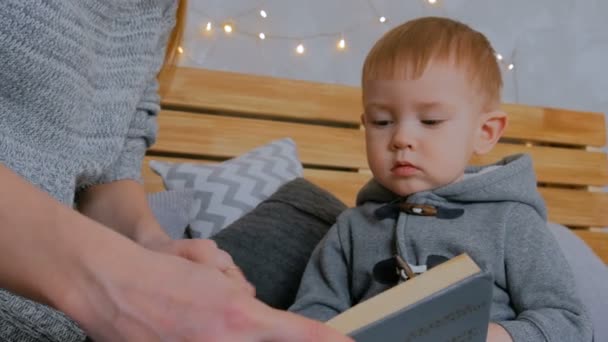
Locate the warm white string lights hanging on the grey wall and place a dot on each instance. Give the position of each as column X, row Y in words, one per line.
column 299, row 41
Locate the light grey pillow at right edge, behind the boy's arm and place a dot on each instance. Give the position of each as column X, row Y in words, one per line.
column 591, row 276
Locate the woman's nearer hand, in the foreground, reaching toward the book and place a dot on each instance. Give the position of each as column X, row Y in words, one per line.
column 137, row 294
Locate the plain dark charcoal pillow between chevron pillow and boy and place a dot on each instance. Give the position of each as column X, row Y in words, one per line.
column 272, row 244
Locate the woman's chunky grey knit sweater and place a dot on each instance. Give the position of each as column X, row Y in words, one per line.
column 78, row 100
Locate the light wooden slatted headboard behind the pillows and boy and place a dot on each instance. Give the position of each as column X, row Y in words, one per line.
column 209, row 116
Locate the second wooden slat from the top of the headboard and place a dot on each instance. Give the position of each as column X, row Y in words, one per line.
column 226, row 137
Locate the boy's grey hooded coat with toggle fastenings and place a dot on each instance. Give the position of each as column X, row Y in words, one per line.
column 495, row 214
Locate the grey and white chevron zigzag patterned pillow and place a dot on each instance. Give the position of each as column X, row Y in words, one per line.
column 224, row 192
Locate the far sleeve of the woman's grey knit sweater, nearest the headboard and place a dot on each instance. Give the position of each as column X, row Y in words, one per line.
column 143, row 127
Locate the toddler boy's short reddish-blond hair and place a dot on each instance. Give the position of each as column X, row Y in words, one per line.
column 406, row 50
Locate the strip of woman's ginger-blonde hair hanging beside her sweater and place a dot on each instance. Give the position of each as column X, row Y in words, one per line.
column 168, row 70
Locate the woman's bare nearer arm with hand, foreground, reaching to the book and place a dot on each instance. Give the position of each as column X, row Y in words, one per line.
column 119, row 291
